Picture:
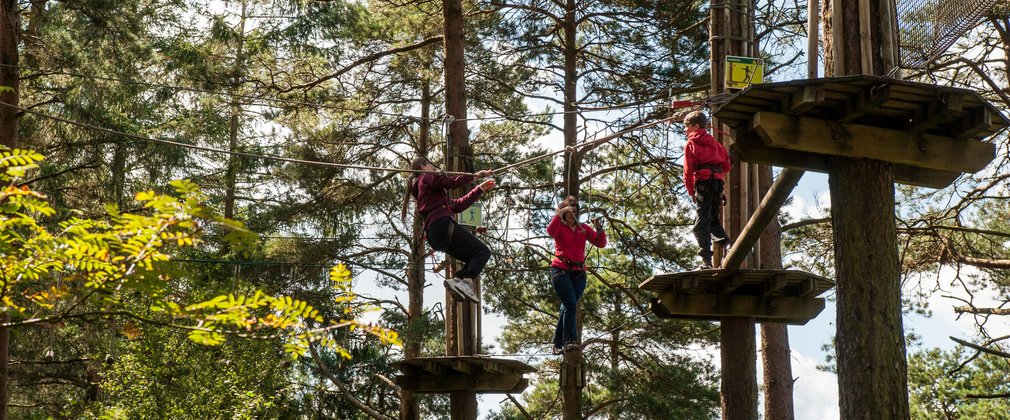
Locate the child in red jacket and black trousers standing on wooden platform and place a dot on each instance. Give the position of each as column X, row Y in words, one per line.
column 705, row 166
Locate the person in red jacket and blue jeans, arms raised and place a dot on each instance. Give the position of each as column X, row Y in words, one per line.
column 568, row 269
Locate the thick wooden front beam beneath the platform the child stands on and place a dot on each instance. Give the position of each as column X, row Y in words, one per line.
column 712, row 306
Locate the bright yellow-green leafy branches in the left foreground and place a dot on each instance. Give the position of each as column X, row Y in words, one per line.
column 105, row 264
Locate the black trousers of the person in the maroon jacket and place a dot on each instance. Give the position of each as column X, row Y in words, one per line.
column 463, row 247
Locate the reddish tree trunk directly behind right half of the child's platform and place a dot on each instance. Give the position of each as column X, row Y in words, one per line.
column 776, row 362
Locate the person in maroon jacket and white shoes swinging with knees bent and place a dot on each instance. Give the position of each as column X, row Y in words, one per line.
column 441, row 229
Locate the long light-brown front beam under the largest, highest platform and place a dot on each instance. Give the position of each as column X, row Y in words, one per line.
column 855, row 141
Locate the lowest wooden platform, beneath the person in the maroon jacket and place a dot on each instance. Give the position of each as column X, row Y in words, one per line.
column 482, row 375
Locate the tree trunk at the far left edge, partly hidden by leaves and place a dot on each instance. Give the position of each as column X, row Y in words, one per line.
column 11, row 81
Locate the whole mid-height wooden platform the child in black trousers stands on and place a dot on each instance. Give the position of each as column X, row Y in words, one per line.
column 788, row 297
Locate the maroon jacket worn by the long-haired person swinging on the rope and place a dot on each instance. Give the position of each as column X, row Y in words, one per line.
column 434, row 201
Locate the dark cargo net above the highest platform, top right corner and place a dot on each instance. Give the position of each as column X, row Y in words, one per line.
column 927, row 29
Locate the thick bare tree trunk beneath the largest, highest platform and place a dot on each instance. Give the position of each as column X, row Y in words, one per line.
column 873, row 381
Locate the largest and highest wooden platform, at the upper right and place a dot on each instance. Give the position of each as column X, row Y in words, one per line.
column 931, row 134
